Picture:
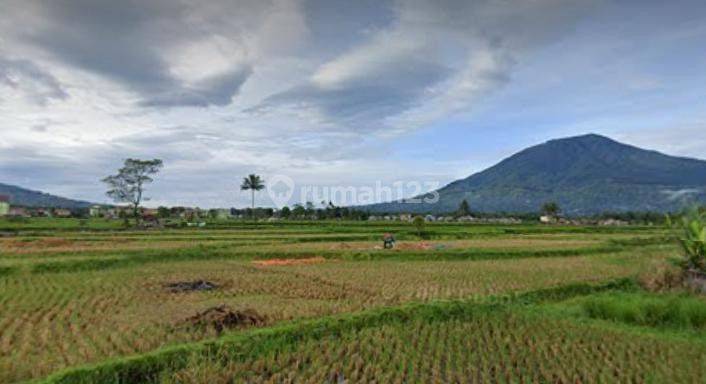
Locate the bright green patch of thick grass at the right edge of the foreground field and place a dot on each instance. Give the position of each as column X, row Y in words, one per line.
column 671, row 311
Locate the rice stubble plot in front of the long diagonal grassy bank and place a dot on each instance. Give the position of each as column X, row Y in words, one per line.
column 503, row 346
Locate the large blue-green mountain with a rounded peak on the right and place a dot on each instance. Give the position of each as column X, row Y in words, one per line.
column 586, row 174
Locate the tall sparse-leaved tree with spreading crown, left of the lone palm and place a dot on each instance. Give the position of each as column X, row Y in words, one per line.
column 128, row 186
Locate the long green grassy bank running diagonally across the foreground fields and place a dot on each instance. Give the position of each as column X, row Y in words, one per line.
column 148, row 367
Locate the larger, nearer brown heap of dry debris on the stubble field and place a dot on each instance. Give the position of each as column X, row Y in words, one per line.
column 224, row 317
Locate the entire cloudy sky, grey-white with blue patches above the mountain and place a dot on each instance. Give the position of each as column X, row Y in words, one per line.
column 333, row 92
